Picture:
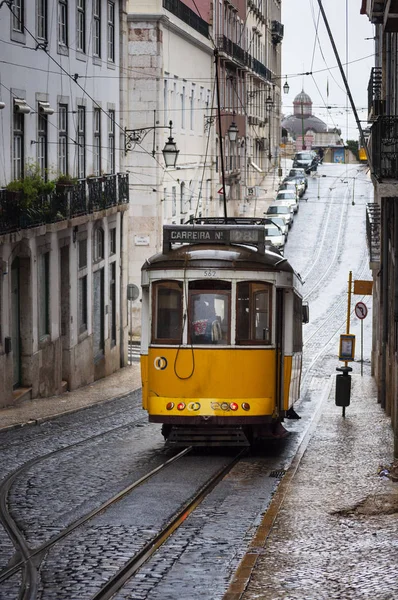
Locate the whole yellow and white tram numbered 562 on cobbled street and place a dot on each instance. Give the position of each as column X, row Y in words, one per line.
column 221, row 347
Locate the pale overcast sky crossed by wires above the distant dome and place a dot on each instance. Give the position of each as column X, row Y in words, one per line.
column 299, row 54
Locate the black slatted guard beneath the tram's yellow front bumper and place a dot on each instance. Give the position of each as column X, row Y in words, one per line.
column 207, row 436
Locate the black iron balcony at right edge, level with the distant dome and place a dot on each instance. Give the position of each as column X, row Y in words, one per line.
column 384, row 147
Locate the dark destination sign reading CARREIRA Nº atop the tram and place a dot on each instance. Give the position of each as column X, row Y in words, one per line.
column 213, row 234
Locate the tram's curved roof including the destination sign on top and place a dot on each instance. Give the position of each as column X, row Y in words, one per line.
column 213, row 245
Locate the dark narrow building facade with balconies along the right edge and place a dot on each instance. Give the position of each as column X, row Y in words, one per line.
column 382, row 215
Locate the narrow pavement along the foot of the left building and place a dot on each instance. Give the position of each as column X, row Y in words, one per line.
column 118, row 384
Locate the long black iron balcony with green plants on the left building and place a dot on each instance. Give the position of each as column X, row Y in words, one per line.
column 66, row 202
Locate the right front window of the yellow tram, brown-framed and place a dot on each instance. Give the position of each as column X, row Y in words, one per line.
column 253, row 313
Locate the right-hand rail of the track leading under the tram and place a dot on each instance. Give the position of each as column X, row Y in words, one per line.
column 134, row 564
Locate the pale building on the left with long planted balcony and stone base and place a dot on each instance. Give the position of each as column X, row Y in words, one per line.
column 62, row 254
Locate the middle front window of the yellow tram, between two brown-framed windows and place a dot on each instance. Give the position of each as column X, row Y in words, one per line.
column 209, row 314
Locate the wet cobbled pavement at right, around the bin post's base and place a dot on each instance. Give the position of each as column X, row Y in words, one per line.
column 331, row 531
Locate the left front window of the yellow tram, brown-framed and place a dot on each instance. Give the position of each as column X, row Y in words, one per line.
column 167, row 312
